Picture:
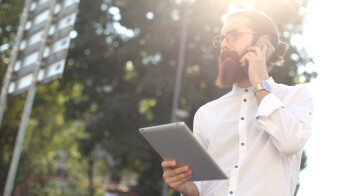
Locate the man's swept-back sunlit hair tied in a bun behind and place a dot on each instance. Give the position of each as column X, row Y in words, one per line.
column 261, row 23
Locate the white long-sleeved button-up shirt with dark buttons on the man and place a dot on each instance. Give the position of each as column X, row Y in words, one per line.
column 259, row 147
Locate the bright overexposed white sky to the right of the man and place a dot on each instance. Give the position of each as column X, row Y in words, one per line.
column 327, row 39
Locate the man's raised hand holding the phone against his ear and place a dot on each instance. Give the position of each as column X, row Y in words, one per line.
column 254, row 62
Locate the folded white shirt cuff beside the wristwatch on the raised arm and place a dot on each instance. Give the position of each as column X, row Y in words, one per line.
column 268, row 104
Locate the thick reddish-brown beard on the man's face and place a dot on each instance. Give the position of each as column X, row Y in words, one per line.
column 230, row 71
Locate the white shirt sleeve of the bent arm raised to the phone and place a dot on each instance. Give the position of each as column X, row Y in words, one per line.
column 289, row 124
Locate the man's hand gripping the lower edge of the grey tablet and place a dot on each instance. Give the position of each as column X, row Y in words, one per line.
column 177, row 178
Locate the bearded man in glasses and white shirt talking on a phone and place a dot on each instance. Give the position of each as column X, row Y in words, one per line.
column 256, row 132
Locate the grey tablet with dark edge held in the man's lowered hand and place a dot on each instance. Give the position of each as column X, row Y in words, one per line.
column 175, row 141
